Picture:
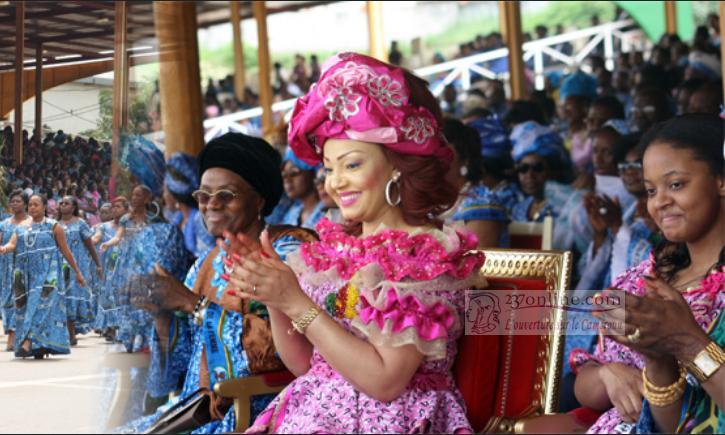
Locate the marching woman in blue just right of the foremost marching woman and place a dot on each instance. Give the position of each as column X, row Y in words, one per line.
column 79, row 300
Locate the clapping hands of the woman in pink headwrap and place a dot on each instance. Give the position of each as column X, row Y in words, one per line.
column 259, row 274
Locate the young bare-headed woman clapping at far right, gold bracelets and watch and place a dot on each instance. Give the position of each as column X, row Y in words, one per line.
column 682, row 282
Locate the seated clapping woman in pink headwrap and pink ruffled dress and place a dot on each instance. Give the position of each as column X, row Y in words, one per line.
column 368, row 317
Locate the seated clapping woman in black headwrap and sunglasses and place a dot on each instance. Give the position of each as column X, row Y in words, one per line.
column 227, row 336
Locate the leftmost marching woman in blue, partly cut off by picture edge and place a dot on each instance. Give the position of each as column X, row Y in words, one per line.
column 19, row 206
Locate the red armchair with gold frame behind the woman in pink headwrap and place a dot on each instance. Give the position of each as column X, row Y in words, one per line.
column 521, row 381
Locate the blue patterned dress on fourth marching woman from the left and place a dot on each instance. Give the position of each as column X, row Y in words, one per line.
column 107, row 306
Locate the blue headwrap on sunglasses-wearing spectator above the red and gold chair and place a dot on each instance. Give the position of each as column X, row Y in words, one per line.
column 530, row 137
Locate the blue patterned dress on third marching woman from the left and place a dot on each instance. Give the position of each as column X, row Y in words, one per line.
column 79, row 301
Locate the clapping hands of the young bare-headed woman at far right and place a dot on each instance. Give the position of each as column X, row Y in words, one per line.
column 658, row 325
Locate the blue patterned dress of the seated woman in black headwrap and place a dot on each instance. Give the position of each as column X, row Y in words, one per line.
column 231, row 338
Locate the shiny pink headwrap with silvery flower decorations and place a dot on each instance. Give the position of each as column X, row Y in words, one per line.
column 361, row 98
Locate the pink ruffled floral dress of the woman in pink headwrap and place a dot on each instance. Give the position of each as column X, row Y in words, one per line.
column 390, row 288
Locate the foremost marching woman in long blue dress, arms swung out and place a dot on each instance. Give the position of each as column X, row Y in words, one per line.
column 38, row 286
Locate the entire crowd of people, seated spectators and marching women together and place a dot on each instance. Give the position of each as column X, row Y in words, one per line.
column 342, row 259
